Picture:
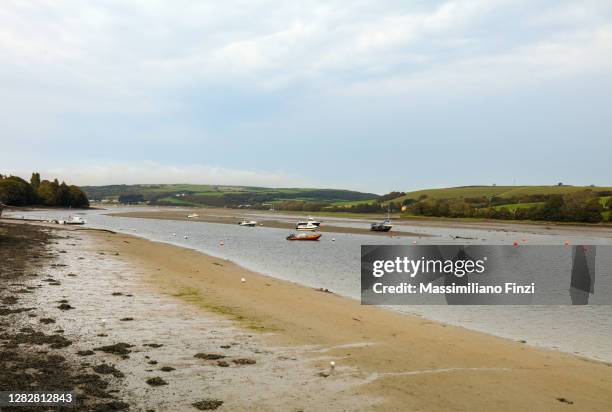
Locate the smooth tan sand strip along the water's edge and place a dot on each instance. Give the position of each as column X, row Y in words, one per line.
column 390, row 349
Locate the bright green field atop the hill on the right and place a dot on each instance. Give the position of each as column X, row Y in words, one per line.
column 498, row 191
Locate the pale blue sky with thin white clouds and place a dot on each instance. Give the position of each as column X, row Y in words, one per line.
column 371, row 95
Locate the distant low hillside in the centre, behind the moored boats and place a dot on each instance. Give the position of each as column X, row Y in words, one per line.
column 220, row 195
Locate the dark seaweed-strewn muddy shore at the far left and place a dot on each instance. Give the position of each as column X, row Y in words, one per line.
column 35, row 355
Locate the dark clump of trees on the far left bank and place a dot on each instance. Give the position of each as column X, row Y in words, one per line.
column 15, row 191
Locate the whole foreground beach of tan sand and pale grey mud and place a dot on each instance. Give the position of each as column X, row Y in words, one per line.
column 383, row 360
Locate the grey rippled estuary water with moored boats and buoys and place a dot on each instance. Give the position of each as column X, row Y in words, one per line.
column 334, row 263
